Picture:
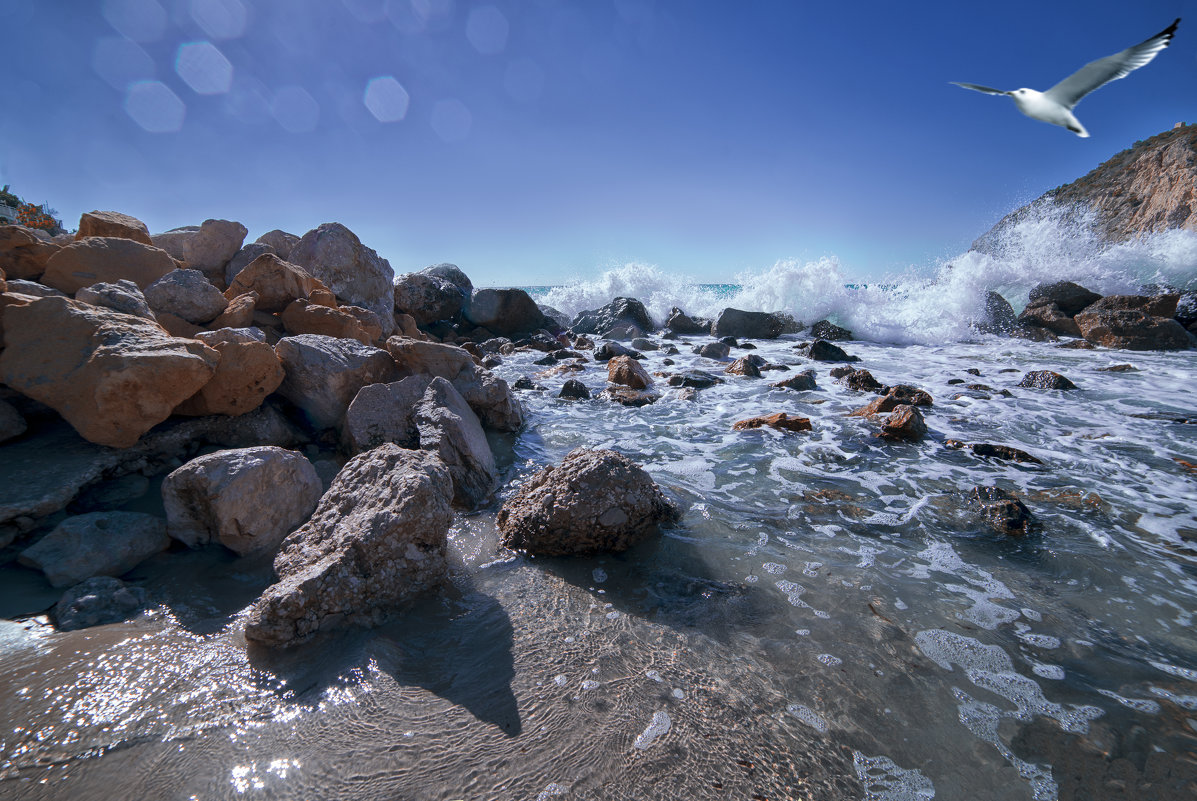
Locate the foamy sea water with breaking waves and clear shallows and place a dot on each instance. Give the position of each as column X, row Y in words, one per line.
column 830, row 620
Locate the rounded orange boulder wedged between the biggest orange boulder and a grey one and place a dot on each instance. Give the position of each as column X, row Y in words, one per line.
column 248, row 372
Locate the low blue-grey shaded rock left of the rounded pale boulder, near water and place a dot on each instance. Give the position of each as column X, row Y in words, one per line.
column 98, row 544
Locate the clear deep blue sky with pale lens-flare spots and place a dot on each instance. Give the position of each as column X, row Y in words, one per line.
column 536, row 141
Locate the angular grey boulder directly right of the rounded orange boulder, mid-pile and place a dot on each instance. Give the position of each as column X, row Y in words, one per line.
column 325, row 373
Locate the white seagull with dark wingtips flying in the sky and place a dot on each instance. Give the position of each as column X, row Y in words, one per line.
column 1058, row 104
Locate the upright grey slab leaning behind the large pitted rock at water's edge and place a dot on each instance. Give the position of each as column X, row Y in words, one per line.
column 449, row 430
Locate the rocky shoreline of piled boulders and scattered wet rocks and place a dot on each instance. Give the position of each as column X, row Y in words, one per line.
column 299, row 402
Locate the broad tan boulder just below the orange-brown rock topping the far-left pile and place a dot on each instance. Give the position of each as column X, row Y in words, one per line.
column 106, row 259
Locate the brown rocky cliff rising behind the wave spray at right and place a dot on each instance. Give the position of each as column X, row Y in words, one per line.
column 1147, row 189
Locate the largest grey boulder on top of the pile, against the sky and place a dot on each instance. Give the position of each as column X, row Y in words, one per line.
column 355, row 274
